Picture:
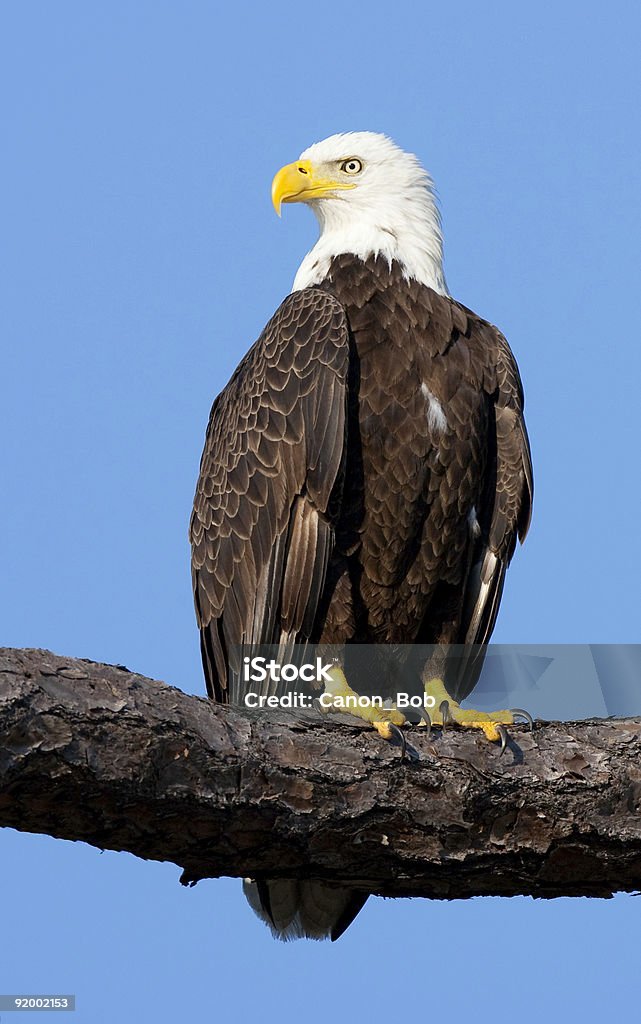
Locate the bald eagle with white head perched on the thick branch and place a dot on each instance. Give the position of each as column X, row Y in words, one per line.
column 367, row 470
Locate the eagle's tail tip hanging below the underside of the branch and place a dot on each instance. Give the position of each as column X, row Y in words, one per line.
column 298, row 909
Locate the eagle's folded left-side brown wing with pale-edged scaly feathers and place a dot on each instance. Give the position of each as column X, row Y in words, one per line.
column 261, row 533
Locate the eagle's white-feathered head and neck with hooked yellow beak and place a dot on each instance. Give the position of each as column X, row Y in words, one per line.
column 371, row 199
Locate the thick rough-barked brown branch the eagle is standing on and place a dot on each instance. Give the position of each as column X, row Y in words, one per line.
column 96, row 753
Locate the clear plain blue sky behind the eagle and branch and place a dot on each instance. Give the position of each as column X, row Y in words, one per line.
column 143, row 258
